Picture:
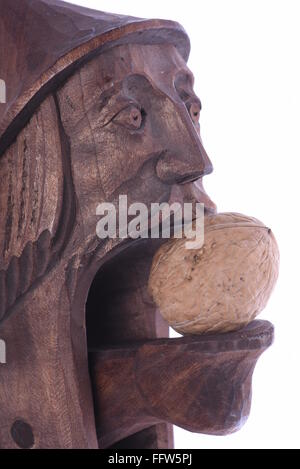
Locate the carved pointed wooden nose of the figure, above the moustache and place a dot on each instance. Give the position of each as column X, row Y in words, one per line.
column 185, row 159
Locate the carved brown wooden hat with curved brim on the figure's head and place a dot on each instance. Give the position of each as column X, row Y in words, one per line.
column 42, row 41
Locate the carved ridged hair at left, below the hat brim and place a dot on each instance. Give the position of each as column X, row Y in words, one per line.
column 33, row 197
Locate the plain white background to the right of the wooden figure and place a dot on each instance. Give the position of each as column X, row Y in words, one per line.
column 245, row 58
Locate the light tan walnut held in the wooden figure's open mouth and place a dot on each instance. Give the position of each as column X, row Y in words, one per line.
column 222, row 286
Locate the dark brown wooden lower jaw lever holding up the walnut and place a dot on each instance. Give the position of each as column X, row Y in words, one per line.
column 201, row 384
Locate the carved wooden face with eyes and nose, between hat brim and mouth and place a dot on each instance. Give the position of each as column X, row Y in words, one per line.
column 132, row 118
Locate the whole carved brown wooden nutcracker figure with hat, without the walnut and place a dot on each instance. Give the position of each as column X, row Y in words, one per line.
column 97, row 106
